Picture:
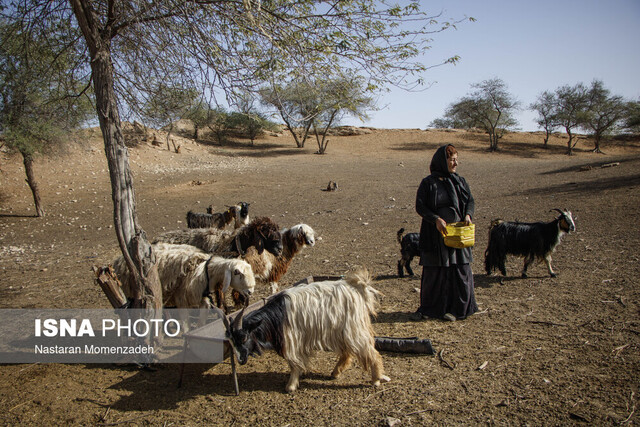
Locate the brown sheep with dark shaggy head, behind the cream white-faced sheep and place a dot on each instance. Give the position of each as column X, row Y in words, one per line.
column 262, row 233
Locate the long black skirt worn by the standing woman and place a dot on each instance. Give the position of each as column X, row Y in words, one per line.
column 447, row 290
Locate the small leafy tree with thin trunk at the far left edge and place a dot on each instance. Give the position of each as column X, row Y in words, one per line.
column 37, row 110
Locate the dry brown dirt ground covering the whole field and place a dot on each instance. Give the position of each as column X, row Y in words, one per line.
column 541, row 350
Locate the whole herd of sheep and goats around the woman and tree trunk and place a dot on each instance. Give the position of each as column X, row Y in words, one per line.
column 199, row 265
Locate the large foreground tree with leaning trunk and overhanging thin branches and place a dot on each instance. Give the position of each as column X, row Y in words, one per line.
column 225, row 46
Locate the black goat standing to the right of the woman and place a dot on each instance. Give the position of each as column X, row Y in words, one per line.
column 529, row 240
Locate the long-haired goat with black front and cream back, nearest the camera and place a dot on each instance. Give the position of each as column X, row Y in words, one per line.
column 297, row 322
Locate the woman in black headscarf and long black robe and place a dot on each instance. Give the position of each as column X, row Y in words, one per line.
column 447, row 290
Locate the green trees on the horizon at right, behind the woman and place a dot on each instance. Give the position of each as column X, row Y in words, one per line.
column 592, row 109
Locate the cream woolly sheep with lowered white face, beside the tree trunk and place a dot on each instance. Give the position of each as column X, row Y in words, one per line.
column 191, row 278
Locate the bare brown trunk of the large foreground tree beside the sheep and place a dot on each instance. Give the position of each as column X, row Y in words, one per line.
column 131, row 237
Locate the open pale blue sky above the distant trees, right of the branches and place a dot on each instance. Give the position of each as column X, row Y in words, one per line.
column 531, row 45
